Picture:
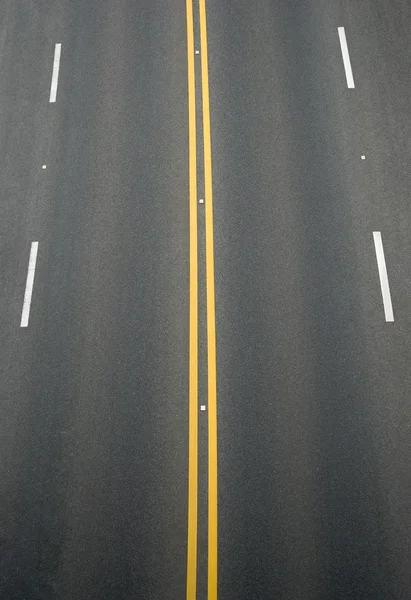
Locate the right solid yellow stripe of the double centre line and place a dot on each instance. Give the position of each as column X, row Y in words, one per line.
column 211, row 333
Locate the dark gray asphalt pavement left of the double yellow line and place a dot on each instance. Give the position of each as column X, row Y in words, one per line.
column 93, row 424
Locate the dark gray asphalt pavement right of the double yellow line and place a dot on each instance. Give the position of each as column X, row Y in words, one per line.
column 313, row 384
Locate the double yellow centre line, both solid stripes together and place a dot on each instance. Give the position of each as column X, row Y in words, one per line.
column 211, row 335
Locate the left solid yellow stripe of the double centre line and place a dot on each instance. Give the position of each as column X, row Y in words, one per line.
column 193, row 334
